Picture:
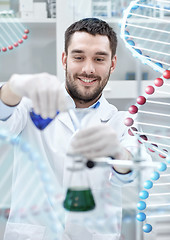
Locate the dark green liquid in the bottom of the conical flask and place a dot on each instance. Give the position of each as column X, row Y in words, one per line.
column 79, row 200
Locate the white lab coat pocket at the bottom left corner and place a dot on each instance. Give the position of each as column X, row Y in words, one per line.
column 20, row 231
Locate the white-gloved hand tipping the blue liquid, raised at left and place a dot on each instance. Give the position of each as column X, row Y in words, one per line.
column 43, row 89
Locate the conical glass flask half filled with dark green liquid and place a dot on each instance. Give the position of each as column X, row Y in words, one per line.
column 79, row 197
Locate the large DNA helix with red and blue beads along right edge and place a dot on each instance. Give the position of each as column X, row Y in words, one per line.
column 145, row 32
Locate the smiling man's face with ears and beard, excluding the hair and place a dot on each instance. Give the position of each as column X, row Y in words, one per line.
column 88, row 66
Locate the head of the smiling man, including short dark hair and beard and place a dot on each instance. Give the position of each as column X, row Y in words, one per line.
column 89, row 59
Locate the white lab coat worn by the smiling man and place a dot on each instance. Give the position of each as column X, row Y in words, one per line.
column 104, row 223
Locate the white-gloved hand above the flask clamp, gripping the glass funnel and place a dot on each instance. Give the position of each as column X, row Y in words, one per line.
column 97, row 141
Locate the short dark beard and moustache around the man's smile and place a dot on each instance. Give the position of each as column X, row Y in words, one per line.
column 73, row 89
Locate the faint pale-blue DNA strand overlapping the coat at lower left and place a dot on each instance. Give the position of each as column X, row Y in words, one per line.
column 24, row 208
